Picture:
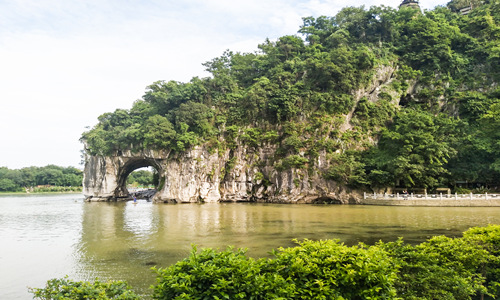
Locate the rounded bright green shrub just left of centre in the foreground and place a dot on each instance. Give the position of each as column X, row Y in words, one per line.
column 218, row 275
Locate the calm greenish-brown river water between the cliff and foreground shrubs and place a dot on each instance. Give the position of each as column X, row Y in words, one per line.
column 50, row 236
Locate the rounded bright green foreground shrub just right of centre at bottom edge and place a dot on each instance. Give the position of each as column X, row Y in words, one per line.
column 330, row 270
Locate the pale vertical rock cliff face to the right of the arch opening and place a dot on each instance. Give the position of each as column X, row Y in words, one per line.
column 244, row 174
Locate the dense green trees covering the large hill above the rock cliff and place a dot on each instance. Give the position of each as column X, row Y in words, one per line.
column 434, row 122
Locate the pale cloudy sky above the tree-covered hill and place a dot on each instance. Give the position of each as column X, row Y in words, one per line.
column 63, row 63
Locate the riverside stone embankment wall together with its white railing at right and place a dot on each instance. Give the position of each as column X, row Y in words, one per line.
column 425, row 199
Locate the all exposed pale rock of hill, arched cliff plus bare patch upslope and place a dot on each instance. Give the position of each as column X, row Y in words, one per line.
column 242, row 173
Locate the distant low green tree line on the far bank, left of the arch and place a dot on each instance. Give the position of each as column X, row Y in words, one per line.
column 31, row 177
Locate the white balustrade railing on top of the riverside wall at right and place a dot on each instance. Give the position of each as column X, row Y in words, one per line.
column 440, row 196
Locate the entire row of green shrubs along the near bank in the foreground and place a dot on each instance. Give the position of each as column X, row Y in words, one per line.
column 466, row 267
